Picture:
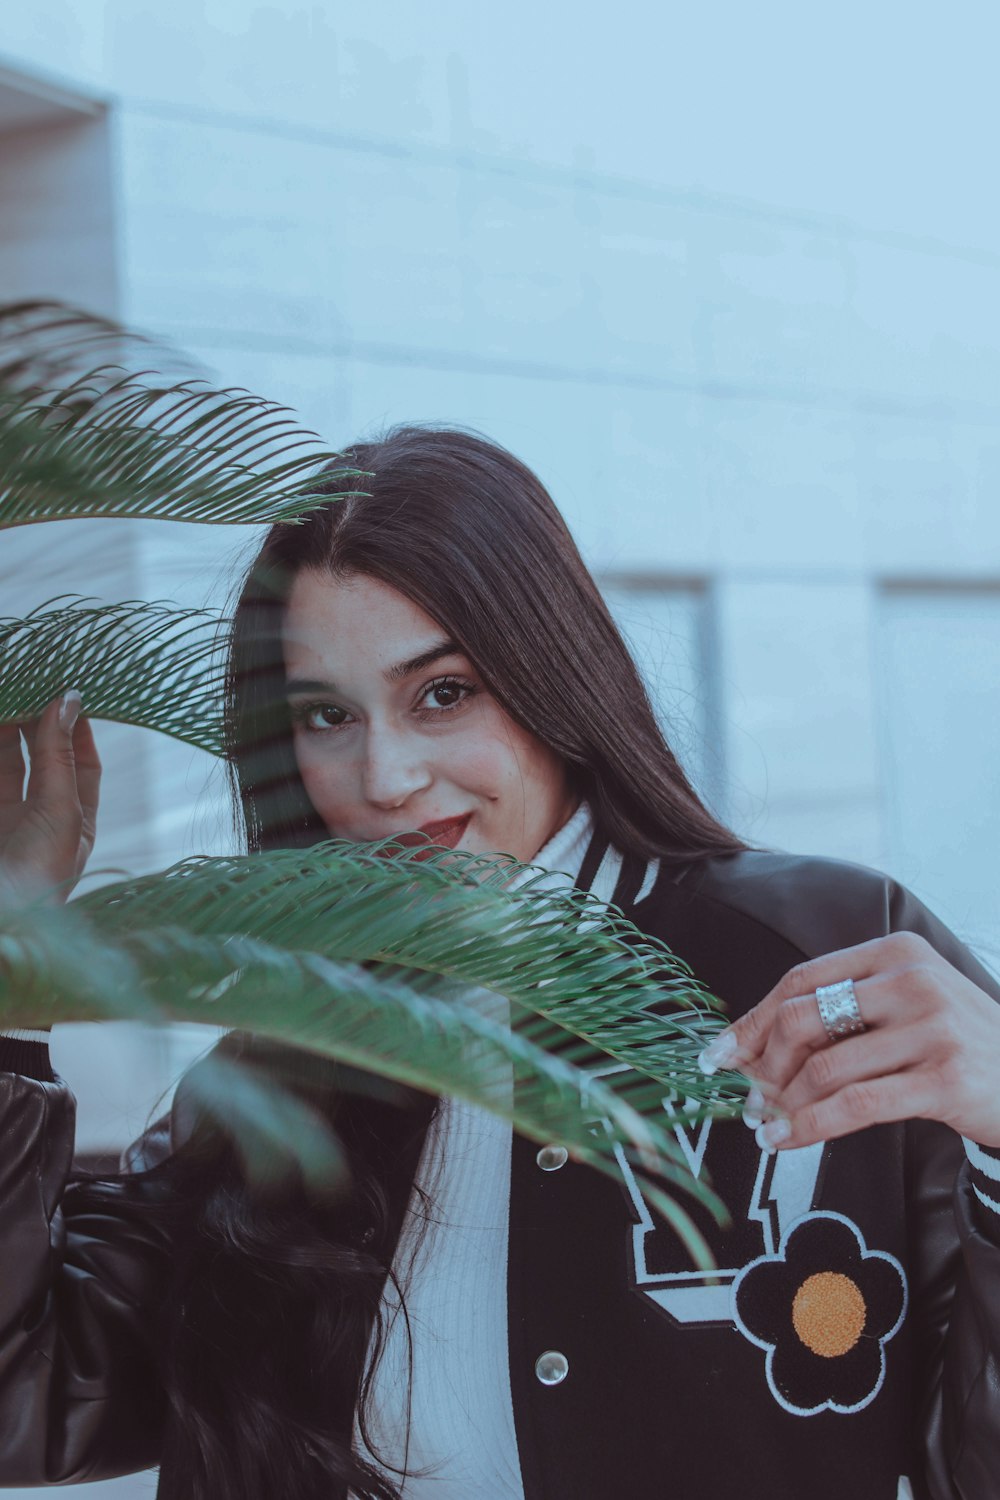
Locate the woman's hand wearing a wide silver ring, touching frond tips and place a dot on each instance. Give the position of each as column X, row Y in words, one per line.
column 932, row 1049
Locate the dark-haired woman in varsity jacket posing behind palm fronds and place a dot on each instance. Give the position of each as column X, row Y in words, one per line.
column 434, row 656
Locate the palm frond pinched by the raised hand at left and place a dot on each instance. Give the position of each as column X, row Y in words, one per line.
column 137, row 664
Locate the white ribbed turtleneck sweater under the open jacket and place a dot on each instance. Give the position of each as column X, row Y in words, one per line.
column 457, row 1393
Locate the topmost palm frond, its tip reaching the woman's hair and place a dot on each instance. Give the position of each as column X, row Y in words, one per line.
column 118, row 439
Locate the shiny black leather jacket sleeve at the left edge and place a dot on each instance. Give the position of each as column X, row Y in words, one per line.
column 80, row 1268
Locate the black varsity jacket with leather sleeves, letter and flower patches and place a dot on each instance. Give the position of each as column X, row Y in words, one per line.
column 882, row 1384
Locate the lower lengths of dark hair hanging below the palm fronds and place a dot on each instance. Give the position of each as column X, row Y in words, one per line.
column 274, row 1295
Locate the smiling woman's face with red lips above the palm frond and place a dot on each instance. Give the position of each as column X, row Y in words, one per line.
column 395, row 731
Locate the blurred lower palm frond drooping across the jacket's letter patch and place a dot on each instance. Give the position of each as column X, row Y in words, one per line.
column 64, row 964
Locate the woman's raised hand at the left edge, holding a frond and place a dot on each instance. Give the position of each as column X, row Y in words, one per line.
column 47, row 830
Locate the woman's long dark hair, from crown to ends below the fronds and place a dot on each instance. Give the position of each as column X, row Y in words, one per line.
column 275, row 1298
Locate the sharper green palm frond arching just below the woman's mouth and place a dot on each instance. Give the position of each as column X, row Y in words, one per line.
column 582, row 976
